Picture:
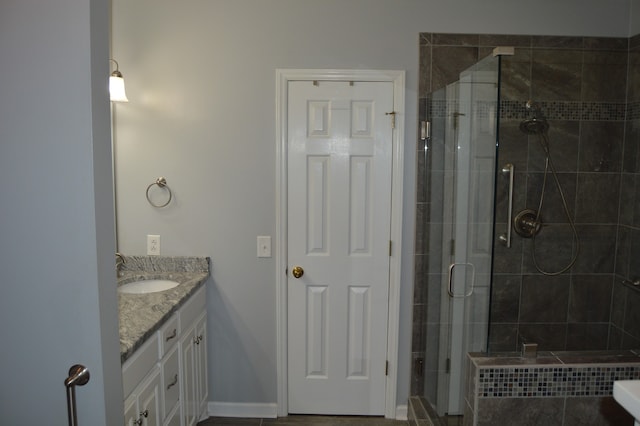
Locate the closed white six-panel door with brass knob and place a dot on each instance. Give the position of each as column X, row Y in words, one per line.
column 339, row 204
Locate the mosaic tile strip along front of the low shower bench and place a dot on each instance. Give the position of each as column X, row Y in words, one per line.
column 553, row 382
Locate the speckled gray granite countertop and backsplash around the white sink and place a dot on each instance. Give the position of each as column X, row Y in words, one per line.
column 141, row 315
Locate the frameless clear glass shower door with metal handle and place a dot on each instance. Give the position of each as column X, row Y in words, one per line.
column 460, row 167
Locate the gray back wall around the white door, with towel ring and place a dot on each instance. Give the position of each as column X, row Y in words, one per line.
column 211, row 132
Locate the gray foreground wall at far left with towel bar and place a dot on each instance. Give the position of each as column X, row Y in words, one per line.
column 58, row 305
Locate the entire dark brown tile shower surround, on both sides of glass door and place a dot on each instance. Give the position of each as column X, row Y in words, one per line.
column 589, row 89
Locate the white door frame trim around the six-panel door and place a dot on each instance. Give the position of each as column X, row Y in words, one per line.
column 283, row 76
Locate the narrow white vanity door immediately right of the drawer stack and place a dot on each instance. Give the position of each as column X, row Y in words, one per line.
column 187, row 358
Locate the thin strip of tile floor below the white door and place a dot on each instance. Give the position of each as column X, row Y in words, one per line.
column 304, row 420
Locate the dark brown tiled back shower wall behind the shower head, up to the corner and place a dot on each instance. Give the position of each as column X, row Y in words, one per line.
column 580, row 85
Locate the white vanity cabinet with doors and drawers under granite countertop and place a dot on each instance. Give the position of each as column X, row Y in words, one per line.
column 165, row 380
